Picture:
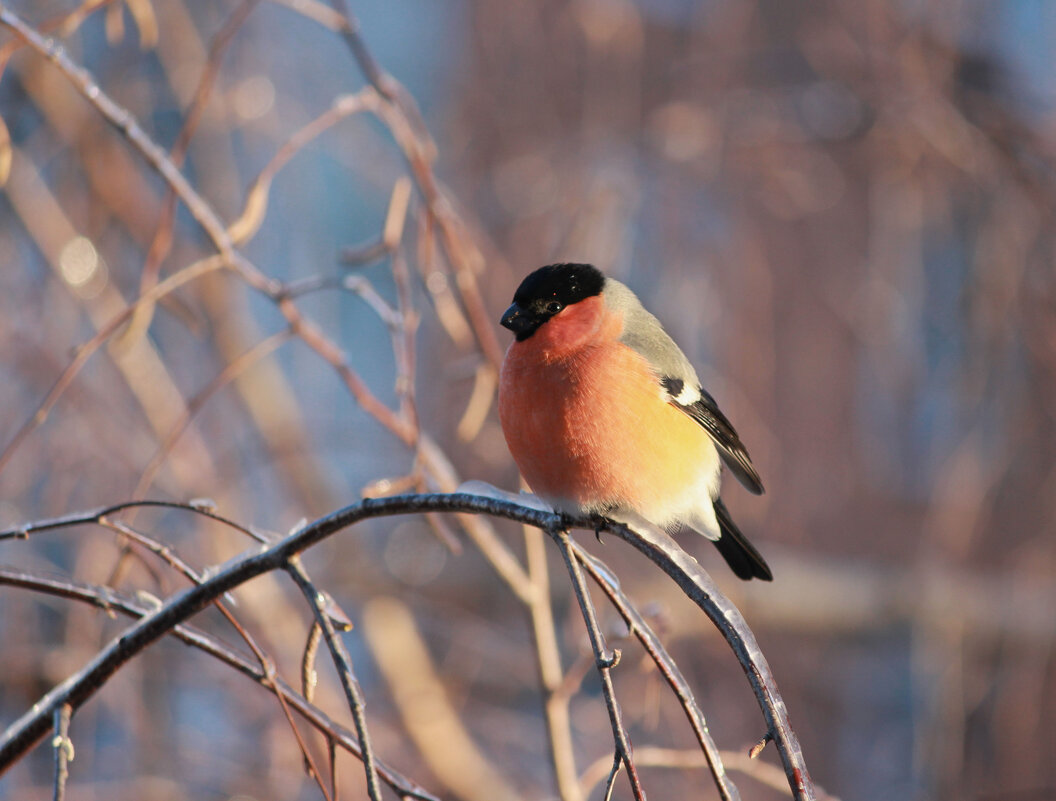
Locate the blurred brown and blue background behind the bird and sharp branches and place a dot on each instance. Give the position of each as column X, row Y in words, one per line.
column 842, row 211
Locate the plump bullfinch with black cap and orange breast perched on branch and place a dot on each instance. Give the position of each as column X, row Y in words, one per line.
column 605, row 415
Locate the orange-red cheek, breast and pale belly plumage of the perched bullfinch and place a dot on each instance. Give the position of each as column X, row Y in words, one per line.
column 589, row 425
